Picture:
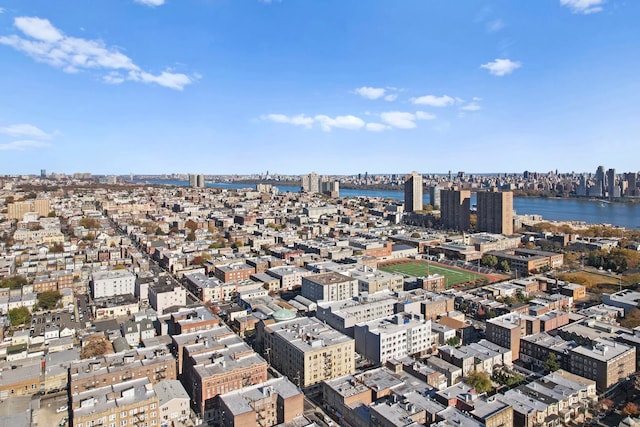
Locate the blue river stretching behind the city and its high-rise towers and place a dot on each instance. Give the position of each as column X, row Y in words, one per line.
column 592, row 212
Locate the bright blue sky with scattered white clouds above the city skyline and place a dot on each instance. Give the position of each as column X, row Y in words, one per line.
column 334, row 86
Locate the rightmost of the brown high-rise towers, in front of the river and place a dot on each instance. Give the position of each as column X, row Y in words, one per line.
column 495, row 212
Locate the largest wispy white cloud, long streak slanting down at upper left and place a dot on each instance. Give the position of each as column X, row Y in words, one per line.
column 49, row 45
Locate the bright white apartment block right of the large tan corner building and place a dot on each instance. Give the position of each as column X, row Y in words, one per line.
column 394, row 337
